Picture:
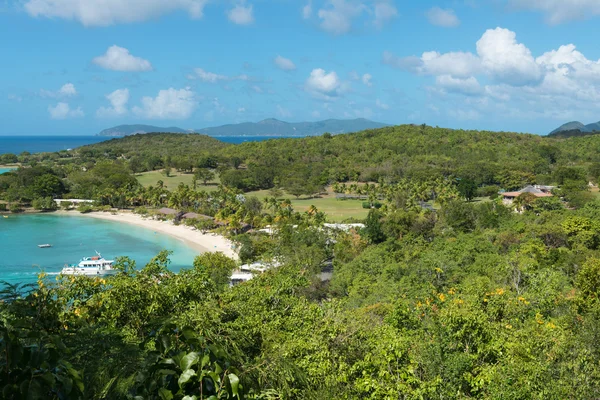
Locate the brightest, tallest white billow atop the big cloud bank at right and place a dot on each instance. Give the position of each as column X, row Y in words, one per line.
column 505, row 59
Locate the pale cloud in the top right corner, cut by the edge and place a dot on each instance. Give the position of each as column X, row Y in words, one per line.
column 559, row 11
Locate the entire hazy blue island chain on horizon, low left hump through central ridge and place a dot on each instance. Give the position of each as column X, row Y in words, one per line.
column 267, row 127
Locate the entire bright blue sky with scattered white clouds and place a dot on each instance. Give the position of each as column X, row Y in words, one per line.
column 79, row 66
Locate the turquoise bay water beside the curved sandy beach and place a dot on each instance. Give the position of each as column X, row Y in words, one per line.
column 74, row 237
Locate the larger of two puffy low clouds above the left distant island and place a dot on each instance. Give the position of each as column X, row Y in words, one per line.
column 168, row 104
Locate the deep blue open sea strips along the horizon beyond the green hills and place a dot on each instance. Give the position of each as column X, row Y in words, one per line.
column 39, row 144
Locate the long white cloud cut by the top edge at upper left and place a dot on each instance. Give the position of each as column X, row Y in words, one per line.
column 110, row 12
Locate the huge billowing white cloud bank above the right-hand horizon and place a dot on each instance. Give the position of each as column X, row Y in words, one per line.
column 503, row 78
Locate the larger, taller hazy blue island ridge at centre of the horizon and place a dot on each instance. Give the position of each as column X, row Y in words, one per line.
column 275, row 127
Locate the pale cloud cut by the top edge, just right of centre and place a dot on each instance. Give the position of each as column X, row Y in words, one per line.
column 338, row 16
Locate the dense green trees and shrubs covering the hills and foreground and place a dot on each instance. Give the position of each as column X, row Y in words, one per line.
column 471, row 300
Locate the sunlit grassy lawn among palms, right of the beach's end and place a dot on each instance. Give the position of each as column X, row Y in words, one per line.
column 336, row 210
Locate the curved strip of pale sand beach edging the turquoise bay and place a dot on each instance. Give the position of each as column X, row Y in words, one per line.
column 203, row 243
